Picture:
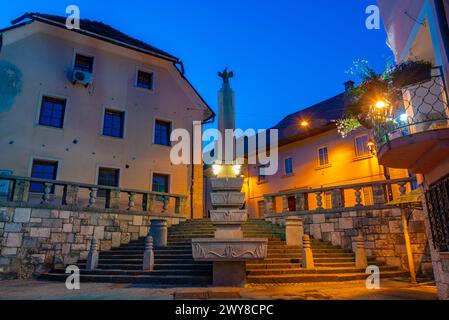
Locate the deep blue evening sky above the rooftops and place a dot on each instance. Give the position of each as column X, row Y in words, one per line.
column 286, row 54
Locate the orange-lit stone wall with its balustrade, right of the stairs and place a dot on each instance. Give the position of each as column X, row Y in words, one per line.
column 355, row 224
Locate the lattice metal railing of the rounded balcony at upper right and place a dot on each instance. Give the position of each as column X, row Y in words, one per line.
column 418, row 107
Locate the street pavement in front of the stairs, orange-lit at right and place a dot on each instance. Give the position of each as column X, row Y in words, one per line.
column 390, row 290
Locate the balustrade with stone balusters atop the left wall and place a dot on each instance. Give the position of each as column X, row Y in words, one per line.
column 17, row 191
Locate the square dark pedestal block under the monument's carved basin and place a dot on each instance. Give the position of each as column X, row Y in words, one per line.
column 229, row 274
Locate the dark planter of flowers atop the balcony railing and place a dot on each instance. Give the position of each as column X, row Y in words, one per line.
column 411, row 72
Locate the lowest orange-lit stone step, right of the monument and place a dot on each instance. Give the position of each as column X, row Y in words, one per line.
column 330, row 277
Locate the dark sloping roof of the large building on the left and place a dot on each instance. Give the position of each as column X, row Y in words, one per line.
column 101, row 30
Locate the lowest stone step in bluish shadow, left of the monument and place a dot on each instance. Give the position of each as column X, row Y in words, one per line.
column 178, row 280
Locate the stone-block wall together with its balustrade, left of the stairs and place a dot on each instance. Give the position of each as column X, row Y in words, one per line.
column 59, row 227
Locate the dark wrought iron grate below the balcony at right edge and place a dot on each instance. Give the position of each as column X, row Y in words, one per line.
column 438, row 207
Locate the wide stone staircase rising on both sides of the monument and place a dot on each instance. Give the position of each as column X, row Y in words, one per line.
column 174, row 265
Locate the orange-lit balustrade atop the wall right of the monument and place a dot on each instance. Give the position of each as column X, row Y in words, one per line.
column 361, row 196
